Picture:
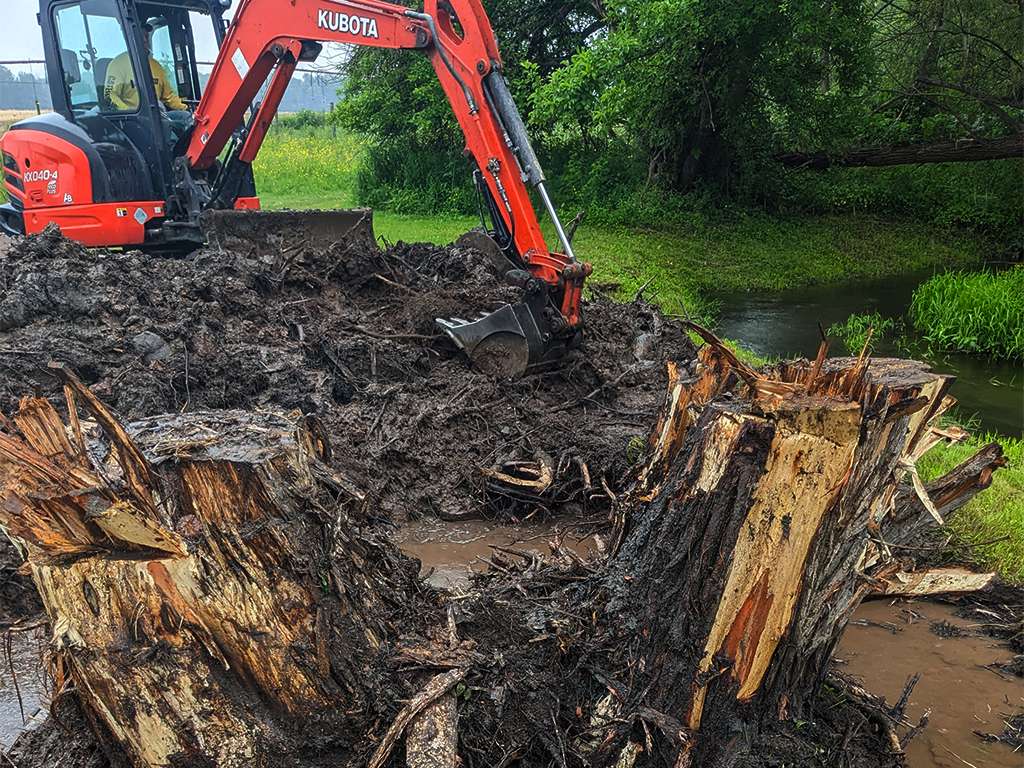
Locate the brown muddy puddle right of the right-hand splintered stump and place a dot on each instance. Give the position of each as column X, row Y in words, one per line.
column 961, row 694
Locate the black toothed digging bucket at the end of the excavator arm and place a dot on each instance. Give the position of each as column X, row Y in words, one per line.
column 503, row 344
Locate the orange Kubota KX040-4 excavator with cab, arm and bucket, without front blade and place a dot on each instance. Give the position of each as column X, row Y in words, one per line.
column 117, row 170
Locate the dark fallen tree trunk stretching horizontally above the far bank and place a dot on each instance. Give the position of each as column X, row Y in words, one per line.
column 961, row 151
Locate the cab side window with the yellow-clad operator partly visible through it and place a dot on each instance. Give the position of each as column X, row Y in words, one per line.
column 94, row 49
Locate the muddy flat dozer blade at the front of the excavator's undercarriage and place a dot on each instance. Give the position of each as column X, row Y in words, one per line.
column 319, row 229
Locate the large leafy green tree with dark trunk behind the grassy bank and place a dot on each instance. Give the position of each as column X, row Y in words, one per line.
column 701, row 87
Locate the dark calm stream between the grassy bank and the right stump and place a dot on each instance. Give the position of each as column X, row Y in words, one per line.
column 785, row 324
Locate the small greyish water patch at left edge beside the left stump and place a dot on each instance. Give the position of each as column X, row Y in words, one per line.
column 25, row 662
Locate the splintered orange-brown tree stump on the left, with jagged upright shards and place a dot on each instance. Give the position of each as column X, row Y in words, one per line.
column 210, row 594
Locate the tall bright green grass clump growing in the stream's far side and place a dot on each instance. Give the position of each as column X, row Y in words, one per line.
column 980, row 313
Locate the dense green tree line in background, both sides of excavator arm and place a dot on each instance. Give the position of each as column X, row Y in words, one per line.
column 709, row 95
